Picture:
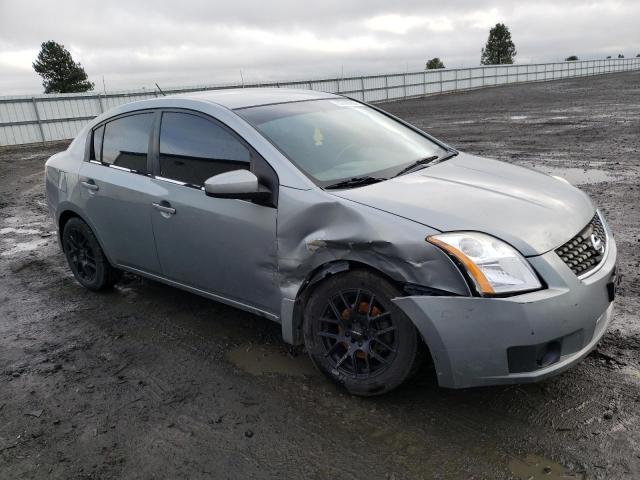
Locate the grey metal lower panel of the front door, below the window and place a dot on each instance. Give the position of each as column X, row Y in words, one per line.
column 223, row 246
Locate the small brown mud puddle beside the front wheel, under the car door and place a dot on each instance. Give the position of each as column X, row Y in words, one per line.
column 260, row 360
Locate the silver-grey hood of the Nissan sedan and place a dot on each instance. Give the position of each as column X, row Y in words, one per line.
column 532, row 211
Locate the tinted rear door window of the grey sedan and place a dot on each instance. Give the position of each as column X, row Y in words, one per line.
column 126, row 142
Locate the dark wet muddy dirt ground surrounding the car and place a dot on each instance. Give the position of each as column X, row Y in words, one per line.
column 148, row 381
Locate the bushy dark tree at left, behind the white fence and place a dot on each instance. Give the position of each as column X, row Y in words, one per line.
column 60, row 74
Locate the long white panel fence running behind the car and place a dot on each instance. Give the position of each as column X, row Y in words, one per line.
column 43, row 118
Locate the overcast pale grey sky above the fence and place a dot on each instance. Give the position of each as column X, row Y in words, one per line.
column 135, row 43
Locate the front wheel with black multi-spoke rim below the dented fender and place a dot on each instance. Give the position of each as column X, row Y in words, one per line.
column 359, row 338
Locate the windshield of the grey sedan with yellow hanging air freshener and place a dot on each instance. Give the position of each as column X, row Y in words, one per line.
column 338, row 139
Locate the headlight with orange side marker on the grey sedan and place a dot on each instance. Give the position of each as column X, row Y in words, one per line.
column 494, row 266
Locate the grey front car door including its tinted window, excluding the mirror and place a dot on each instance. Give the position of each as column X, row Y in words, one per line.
column 226, row 247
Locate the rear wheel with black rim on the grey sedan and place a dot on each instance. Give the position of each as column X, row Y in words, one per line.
column 85, row 257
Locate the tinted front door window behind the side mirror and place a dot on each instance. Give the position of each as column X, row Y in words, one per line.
column 193, row 148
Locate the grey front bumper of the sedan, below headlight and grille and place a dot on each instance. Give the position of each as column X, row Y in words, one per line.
column 476, row 341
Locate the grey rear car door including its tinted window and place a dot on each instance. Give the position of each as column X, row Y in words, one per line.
column 117, row 191
